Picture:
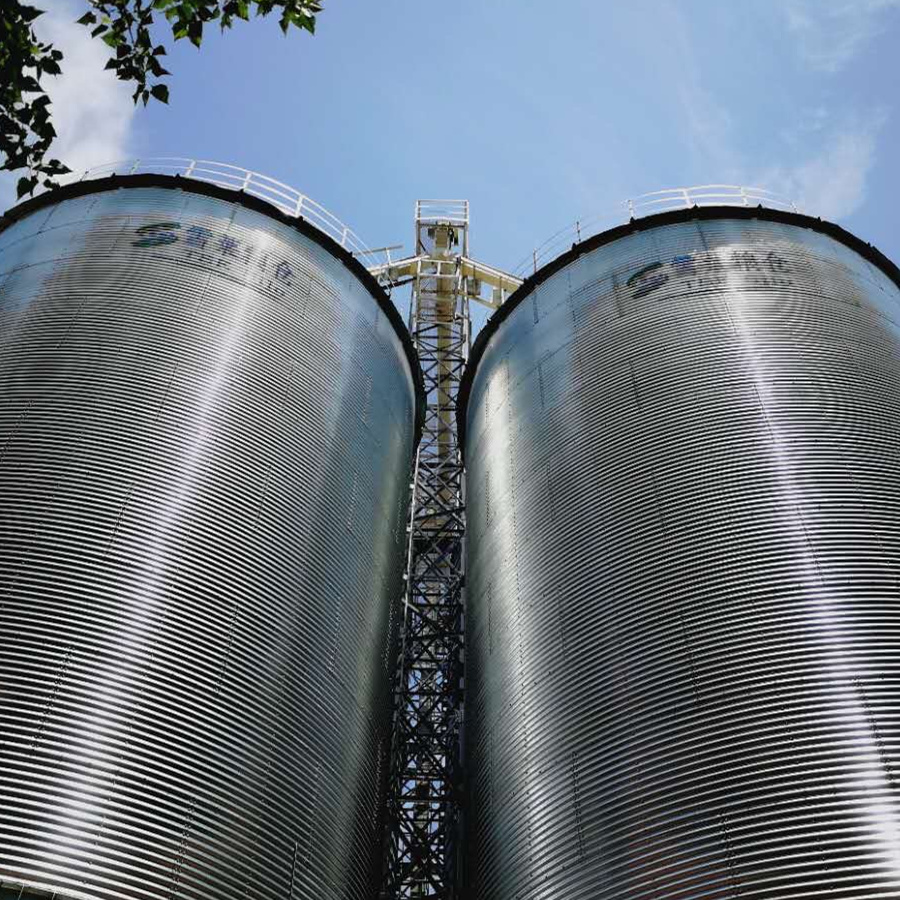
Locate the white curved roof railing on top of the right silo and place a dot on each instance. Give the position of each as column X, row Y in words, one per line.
column 648, row 205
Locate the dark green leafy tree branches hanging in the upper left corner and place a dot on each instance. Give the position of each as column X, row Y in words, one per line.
column 127, row 27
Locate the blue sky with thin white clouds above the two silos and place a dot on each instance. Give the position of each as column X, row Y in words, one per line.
column 536, row 112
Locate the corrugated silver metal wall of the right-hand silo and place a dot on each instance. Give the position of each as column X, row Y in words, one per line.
column 683, row 454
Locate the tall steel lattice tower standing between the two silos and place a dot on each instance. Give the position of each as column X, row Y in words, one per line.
column 426, row 777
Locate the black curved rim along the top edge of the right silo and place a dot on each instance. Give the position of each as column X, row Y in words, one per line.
column 671, row 217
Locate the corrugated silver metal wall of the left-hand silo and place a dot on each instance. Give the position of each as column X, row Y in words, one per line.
column 206, row 424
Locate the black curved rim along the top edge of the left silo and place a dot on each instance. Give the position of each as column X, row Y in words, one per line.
column 175, row 182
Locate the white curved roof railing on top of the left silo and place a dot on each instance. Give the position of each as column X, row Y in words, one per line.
column 283, row 197
